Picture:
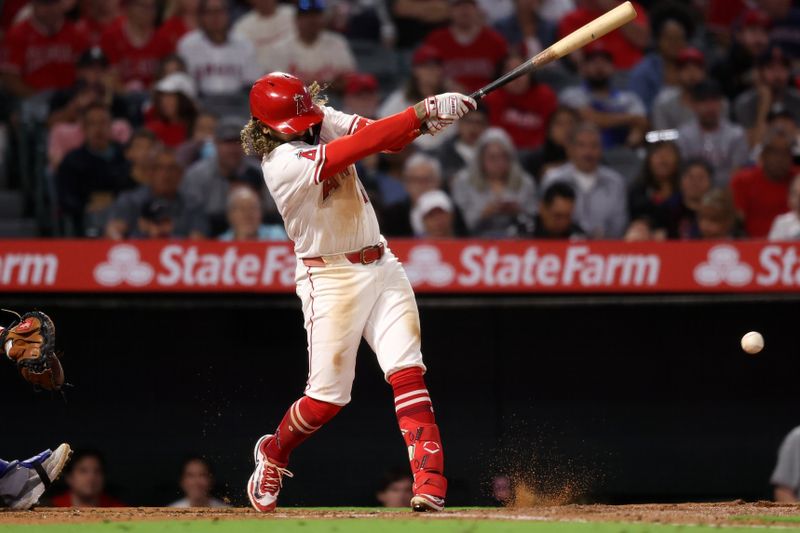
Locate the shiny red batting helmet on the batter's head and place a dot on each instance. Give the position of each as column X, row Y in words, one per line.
column 282, row 102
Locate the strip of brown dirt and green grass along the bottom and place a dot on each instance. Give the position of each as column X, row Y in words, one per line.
column 730, row 517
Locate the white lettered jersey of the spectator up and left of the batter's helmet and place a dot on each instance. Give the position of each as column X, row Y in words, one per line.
column 228, row 68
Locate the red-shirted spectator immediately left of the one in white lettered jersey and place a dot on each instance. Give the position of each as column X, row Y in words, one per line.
column 132, row 46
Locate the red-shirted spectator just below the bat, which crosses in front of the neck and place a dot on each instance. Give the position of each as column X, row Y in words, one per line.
column 522, row 108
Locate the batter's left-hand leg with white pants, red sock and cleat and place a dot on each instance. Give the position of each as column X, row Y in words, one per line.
column 336, row 302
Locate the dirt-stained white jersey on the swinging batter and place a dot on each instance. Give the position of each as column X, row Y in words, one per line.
column 322, row 217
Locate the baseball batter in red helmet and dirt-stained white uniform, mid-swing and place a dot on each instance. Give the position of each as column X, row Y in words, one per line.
column 350, row 283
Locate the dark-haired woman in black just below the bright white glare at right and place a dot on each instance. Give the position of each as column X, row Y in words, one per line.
column 658, row 180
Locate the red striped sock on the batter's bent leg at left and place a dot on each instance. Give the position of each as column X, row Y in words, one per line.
column 303, row 418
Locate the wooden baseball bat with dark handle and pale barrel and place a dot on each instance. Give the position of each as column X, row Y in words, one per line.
column 606, row 23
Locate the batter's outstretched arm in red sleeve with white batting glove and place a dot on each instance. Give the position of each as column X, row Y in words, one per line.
column 437, row 112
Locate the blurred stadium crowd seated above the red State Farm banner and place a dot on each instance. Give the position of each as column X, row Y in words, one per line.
column 121, row 118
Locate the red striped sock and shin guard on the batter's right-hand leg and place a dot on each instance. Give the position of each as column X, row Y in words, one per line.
column 418, row 426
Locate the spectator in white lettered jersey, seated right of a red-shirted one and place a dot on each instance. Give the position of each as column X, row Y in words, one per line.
column 220, row 63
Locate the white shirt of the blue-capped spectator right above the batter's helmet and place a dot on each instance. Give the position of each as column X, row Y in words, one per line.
column 325, row 60
